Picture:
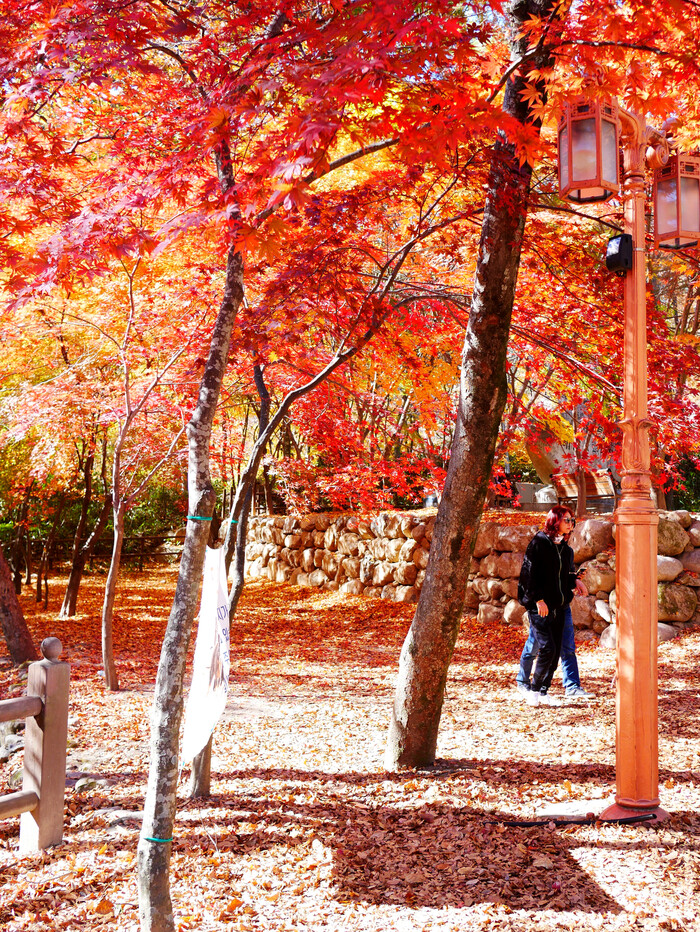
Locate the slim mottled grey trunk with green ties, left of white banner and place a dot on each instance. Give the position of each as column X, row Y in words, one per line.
column 155, row 907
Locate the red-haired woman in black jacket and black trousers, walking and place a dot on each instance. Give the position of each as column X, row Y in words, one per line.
column 546, row 588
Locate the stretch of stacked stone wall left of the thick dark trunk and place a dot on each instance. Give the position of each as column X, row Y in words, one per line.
column 384, row 556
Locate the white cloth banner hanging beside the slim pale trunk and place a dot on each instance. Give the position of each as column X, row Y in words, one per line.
column 209, row 689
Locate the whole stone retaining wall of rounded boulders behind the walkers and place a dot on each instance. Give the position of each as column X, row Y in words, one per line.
column 385, row 556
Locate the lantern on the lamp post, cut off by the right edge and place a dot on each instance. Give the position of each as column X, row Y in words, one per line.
column 677, row 202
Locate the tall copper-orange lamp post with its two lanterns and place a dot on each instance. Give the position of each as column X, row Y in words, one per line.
column 591, row 134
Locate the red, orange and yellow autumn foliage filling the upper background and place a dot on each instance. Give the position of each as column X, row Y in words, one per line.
column 359, row 184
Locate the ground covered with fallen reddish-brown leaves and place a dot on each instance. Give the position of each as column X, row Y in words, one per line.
column 306, row 831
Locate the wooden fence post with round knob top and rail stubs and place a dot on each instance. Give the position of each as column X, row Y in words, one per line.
column 40, row 802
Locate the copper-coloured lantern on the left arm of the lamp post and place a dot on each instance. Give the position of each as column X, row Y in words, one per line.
column 589, row 161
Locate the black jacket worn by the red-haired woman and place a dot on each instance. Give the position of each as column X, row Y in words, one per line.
column 548, row 573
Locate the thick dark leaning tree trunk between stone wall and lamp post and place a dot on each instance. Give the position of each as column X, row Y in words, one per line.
column 430, row 642
